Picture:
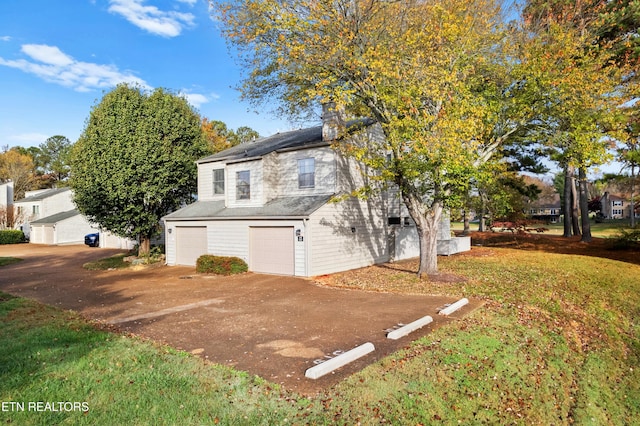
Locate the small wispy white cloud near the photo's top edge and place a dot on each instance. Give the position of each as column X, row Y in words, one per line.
column 152, row 19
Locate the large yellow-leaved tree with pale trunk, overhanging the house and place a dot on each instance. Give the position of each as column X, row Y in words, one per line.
column 429, row 72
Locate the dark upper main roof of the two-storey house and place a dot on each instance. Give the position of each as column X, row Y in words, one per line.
column 289, row 140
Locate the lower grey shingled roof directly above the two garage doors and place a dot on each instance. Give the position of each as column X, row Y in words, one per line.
column 284, row 207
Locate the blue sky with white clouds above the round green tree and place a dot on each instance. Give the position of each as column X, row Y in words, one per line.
column 58, row 58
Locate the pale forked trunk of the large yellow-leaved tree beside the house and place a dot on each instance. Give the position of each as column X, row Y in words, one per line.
column 427, row 221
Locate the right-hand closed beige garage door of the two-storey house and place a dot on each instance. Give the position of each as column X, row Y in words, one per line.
column 272, row 250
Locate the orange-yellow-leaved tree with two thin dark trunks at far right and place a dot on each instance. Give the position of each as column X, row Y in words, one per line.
column 582, row 86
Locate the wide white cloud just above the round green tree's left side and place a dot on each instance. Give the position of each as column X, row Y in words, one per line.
column 54, row 66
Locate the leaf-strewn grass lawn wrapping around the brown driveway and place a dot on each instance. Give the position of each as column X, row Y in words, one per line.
column 557, row 342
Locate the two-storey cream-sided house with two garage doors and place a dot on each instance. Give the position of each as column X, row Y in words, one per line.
column 269, row 202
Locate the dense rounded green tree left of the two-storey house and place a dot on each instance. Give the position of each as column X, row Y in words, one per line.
column 134, row 161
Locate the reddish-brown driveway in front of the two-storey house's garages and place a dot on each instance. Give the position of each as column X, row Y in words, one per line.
column 271, row 326
